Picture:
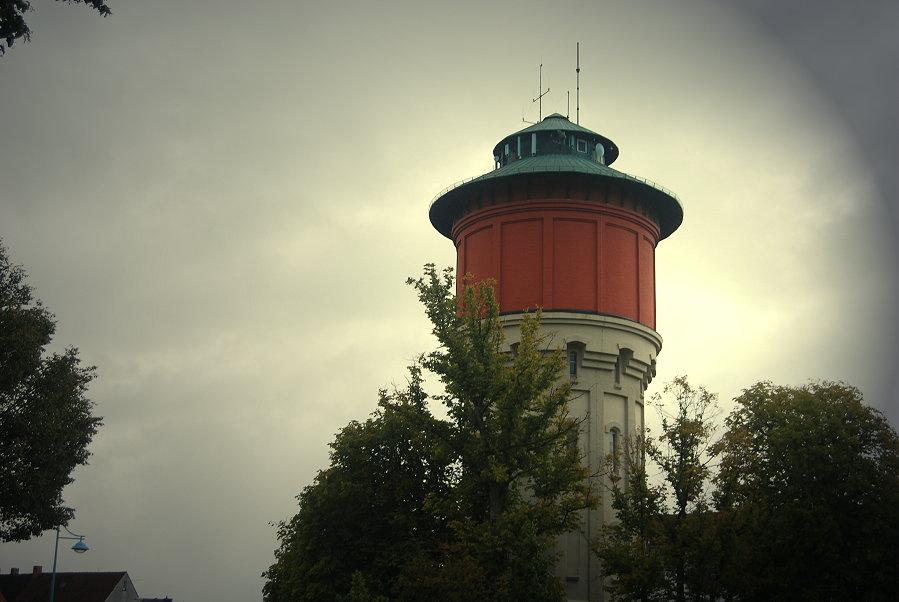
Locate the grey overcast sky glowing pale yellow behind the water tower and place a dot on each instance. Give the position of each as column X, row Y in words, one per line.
column 220, row 202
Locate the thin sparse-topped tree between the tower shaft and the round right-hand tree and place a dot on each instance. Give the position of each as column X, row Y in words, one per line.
column 663, row 545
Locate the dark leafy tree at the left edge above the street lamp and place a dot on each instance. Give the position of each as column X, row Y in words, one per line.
column 45, row 417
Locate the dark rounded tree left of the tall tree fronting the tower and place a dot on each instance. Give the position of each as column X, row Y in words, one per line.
column 366, row 515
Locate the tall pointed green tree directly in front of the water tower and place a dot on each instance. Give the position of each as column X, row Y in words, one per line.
column 521, row 483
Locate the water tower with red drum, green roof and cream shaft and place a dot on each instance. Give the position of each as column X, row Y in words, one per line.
column 557, row 228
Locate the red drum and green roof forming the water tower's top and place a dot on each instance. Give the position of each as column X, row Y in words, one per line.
column 559, row 229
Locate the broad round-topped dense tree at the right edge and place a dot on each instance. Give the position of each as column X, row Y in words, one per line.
column 809, row 477
